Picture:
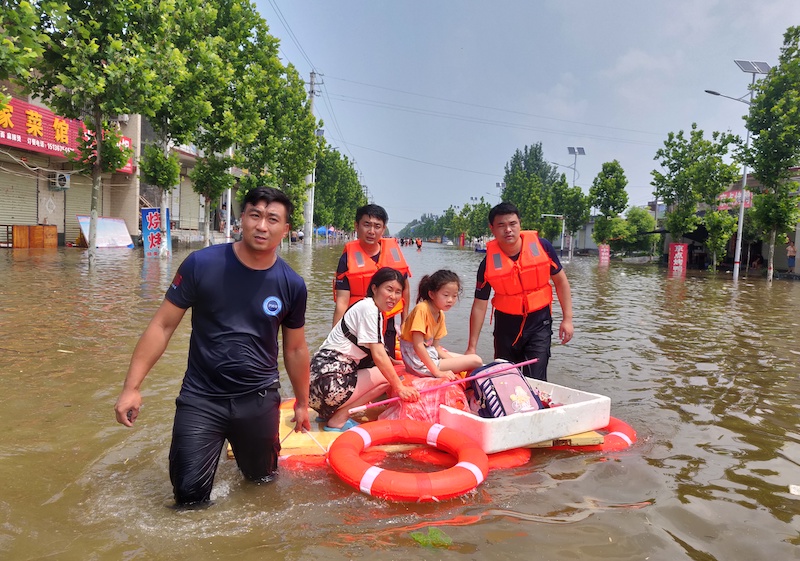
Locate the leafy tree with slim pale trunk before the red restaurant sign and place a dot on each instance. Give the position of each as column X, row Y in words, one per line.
column 103, row 59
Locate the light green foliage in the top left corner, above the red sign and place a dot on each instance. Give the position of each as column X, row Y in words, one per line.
column 21, row 43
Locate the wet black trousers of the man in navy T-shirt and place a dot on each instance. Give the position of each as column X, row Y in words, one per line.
column 249, row 423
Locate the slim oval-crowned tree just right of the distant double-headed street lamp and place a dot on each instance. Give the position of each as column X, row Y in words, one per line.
column 608, row 195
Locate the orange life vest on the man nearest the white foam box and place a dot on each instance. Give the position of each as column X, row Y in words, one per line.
column 521, row 286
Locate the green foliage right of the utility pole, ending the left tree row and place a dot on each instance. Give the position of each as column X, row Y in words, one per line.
column 337, row 191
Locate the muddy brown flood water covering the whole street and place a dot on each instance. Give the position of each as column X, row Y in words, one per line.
column 705, row 371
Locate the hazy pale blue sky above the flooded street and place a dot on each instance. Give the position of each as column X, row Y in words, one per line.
column 430, row 99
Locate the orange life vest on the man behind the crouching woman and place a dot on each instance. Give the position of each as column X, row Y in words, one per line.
column 361, row 268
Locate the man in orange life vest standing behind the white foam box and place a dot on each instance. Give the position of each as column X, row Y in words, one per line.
column 519, row 267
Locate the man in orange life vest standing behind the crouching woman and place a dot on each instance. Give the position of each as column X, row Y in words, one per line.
column 361, row 259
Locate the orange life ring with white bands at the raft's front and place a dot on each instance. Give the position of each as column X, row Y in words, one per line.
column 470, row 471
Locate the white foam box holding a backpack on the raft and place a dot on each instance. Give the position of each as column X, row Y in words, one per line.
column 579, row 412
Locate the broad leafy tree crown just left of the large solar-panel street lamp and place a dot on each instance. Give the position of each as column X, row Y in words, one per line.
column 694, row 171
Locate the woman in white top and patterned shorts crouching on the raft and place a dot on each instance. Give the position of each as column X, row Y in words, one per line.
column 337, row 384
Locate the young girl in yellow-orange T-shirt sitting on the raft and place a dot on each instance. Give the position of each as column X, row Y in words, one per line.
column 425, row 326
